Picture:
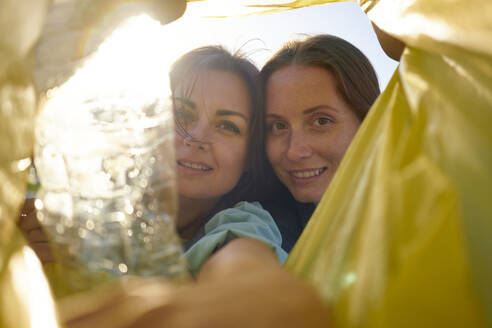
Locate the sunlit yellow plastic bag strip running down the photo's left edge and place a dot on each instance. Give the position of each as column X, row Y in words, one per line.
column 25, row 299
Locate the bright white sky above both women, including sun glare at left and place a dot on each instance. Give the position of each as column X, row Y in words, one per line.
column 138, row 55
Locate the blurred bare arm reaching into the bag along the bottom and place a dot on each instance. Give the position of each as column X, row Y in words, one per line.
column 236, row 289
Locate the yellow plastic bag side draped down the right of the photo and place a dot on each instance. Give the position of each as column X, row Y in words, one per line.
column 403, row 235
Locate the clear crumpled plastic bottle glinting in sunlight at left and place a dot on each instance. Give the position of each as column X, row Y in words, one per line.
column 107, row 196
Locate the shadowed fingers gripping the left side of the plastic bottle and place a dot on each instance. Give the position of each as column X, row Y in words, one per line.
column 34, row 233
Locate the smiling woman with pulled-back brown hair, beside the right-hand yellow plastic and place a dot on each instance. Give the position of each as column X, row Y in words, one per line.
column 317, row 92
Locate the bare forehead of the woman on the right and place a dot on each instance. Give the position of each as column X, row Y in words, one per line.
column 300, row 87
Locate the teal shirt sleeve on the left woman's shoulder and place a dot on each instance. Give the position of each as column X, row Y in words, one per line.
column 243, row 220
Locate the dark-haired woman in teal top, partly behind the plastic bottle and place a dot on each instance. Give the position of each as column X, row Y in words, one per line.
column 219, row 147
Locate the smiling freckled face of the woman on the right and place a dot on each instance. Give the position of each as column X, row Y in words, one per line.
column 310, row 127
